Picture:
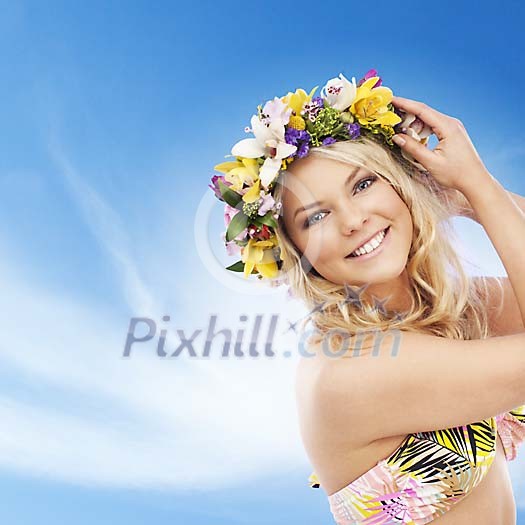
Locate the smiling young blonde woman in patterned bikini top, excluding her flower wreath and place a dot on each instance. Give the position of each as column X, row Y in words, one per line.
column 405, row 437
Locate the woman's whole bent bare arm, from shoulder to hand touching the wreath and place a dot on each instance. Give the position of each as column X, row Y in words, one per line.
column 414, row 382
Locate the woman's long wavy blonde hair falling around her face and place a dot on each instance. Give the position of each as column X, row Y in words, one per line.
column 447, row 302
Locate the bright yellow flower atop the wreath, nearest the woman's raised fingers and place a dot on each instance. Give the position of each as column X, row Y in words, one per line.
column 370, row 105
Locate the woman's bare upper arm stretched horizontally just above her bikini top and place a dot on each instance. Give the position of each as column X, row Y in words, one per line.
column 411, row 382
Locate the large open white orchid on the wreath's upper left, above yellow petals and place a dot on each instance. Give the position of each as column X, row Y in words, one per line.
column 269, row 142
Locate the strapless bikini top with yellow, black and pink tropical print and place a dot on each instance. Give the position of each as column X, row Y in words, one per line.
column 427, row 474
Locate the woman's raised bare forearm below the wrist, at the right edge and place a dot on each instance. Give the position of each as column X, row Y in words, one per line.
column 502, row 215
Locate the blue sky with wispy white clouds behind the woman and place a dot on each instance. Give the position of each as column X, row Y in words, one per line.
column 114, row 114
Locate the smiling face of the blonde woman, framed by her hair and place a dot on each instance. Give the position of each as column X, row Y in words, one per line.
column 331, row 209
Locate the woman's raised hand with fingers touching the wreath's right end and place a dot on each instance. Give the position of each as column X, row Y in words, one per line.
column 454, row 162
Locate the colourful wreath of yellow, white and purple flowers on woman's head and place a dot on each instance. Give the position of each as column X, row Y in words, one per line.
column 285, row 129
